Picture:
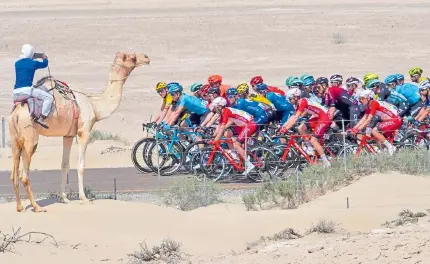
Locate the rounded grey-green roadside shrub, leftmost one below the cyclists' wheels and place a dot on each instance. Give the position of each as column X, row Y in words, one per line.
column 189, row 193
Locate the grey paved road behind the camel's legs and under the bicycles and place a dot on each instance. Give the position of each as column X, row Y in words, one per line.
column 127, row 179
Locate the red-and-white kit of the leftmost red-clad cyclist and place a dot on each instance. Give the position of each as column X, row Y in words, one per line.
column 244, row 122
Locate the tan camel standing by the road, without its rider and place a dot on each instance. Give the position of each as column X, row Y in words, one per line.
column 68, row 119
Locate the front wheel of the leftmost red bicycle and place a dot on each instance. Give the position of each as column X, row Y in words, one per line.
column 213, row 164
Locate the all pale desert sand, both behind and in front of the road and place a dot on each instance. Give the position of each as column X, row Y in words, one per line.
column 187, row 41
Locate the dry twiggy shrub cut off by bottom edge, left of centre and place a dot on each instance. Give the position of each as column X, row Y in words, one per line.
column 168, row 251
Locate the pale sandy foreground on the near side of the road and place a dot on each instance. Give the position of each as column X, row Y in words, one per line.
column 111, row 229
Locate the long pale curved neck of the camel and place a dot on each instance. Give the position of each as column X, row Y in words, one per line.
column 105, row 104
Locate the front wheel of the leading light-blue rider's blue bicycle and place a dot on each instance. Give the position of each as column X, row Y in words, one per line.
column 168, row 157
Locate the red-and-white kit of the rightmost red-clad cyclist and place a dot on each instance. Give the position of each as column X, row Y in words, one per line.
column 388, row 114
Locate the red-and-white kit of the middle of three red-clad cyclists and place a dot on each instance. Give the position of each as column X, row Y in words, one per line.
column 321, row 121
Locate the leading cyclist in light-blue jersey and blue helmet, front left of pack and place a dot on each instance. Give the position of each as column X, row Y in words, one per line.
column 197, row 108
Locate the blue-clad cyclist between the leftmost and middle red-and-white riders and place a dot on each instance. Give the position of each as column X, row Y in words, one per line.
column 283, row 108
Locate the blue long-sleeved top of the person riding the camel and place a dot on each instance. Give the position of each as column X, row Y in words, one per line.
column 25, row 69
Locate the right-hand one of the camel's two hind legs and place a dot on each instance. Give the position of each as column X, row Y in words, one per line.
column 28, row 151
